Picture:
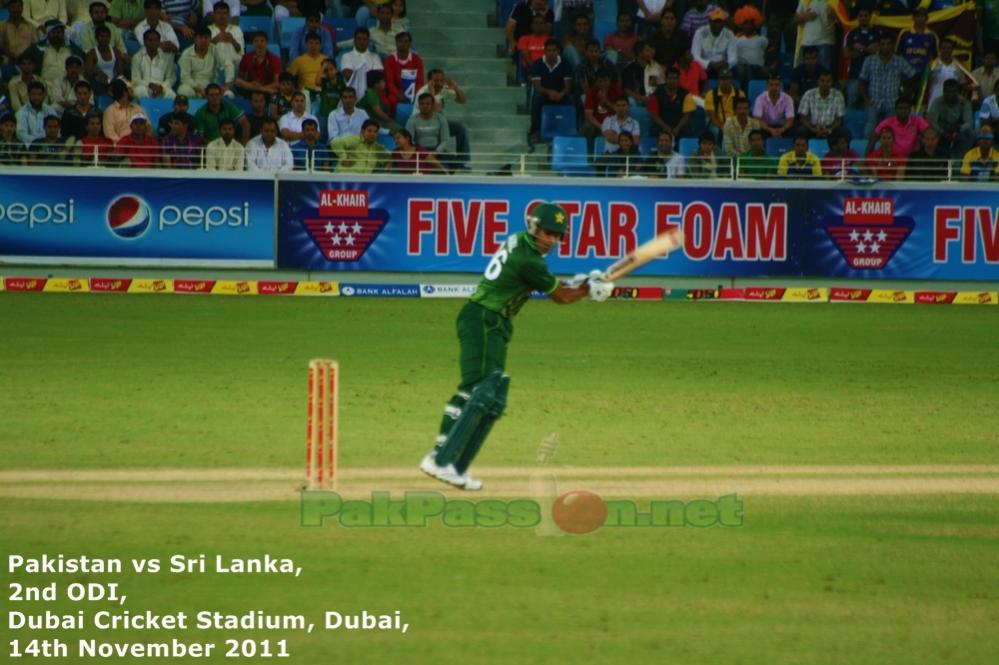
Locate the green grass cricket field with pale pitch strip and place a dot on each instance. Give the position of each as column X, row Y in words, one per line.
column 843, row 394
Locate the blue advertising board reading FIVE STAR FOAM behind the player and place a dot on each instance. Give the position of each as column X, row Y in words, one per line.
column 749, row 229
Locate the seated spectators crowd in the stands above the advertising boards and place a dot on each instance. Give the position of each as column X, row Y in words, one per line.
column 668, row 88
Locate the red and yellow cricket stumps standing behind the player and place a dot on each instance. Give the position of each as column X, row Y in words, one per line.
column 323, row 420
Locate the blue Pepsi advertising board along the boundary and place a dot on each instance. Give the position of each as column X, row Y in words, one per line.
column 120, row 219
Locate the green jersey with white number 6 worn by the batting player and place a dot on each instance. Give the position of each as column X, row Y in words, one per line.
column 514, row 271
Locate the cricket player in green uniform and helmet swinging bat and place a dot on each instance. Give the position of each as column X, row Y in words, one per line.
column 485, row 326
